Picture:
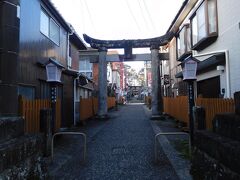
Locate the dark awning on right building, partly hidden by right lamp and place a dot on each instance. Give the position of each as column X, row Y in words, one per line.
column 208, row 64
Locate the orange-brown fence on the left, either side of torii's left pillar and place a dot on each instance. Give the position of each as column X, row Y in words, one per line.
column 89, row 107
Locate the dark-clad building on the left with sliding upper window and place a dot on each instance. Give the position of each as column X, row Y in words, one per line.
column 42, row 33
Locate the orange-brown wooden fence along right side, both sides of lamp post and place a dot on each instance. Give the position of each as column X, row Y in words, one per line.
column 178, row 107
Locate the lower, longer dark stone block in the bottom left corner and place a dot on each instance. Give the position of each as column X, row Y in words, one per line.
column 15, row 151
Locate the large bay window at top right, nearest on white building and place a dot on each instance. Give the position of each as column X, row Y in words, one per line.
column 204, row 25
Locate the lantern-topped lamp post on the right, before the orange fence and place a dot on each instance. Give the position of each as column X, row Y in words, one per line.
column 189, row 66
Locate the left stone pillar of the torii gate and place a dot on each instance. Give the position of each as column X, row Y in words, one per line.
column 102, row 83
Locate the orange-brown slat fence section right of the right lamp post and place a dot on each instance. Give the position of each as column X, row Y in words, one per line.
column 214, row 106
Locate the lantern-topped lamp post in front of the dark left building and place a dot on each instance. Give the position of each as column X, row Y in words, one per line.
column 54, row 72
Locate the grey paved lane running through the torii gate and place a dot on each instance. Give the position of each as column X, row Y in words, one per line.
column 119, row 148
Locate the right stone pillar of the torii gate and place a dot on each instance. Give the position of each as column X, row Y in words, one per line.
column 156, row 83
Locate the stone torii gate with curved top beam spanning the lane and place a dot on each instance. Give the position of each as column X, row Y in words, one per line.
column 127, row 45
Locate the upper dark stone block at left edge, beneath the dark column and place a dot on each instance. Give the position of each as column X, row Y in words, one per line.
column 11, row 127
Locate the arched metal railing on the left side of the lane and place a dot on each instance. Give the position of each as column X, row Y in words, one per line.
column 71, row 133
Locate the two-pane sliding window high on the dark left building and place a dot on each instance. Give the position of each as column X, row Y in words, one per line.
column 49, row 27
